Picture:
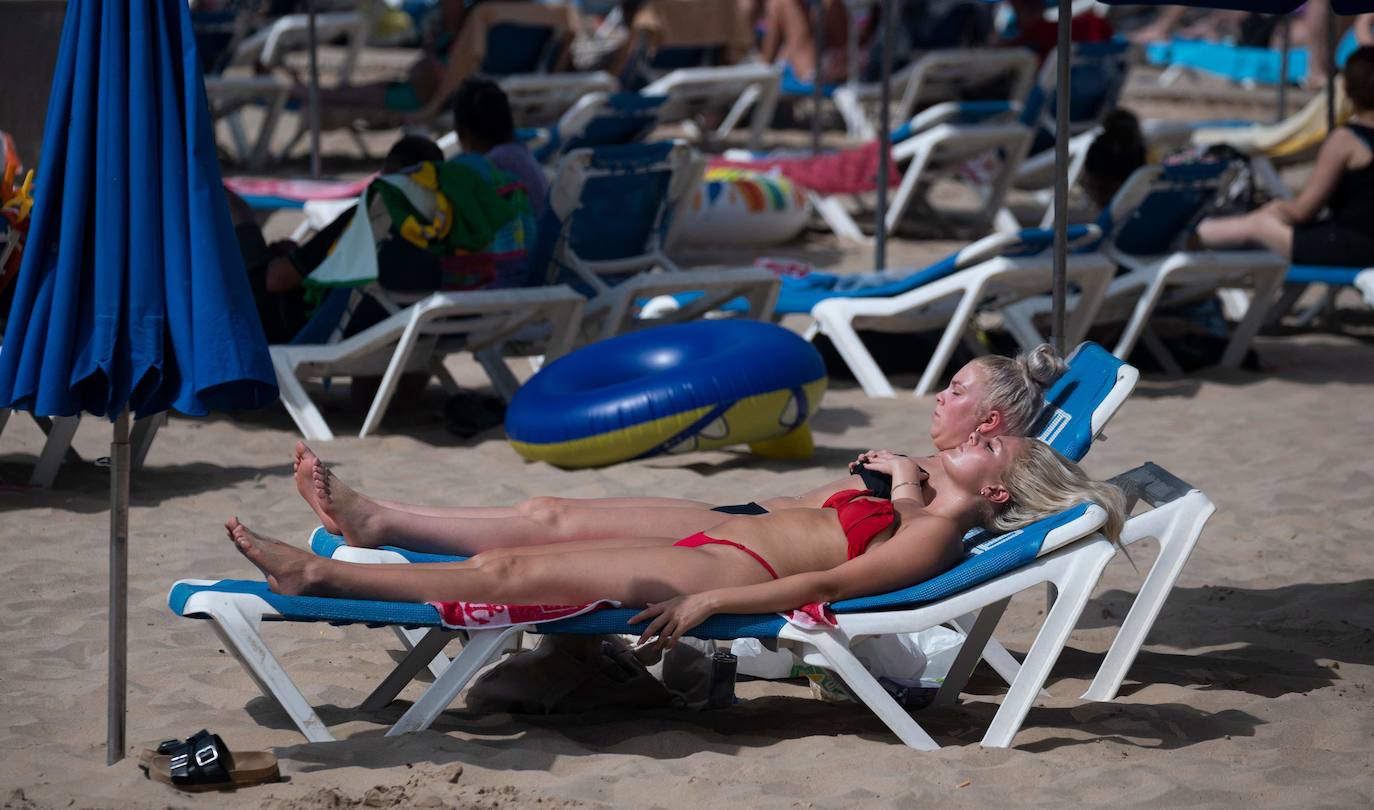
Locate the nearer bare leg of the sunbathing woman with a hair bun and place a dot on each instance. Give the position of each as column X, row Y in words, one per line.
column 366, row 524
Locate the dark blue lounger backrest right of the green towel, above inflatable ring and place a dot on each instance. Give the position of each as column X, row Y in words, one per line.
column 609, row 212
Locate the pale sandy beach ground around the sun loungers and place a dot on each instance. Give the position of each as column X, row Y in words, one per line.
column 1252, row 690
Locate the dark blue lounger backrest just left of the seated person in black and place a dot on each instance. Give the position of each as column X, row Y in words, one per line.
column 1158, row 207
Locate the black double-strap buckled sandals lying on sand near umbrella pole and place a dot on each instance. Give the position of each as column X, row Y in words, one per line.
column 204, row 763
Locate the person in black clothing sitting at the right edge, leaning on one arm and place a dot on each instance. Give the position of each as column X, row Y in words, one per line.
column 1342, row 183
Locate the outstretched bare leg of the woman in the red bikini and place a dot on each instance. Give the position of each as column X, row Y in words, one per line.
column 633, row 576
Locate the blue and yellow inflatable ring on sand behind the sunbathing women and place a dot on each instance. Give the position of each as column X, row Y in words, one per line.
column 673, row 389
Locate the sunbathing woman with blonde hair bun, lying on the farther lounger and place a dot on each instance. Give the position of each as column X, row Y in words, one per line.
column 991, row 396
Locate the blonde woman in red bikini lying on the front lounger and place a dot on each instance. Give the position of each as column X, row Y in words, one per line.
column 854, row 546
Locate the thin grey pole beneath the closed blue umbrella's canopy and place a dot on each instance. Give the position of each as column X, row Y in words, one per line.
column 119, row 613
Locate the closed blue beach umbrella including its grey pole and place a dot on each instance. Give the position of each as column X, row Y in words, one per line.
column 133, row 294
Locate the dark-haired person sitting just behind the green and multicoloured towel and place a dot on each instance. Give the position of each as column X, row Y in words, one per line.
column 484, row 126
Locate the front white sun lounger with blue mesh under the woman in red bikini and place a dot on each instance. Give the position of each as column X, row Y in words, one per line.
column 1063, row 550
